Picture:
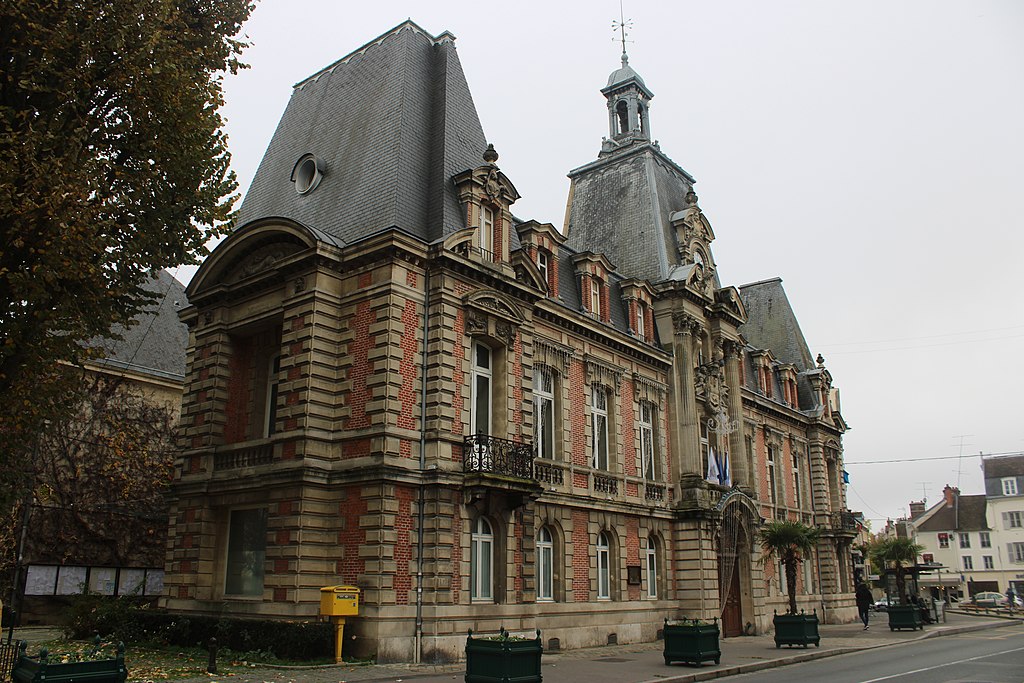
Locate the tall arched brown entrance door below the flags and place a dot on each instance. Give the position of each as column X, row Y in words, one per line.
column 735, row 540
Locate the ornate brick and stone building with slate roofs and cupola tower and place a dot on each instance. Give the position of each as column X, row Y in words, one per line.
column 480, row 420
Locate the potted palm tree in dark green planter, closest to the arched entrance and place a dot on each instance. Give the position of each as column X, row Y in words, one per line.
column 792, row 543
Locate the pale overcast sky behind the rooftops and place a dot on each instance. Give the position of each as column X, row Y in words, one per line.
column 868, row 153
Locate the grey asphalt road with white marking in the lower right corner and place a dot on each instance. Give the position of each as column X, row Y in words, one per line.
column 993, row 657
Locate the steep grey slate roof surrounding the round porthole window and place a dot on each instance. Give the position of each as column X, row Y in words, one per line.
column 392, row 123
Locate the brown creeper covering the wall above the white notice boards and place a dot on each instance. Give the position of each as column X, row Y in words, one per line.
column 101, row 475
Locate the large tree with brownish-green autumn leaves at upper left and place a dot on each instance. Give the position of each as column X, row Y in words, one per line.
column 113, row 165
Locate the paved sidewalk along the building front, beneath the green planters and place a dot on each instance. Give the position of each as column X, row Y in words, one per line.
column 643, row 663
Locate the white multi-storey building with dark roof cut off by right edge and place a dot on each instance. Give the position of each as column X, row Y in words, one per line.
column 1005, row 492
